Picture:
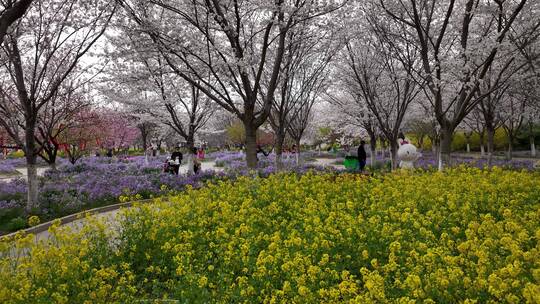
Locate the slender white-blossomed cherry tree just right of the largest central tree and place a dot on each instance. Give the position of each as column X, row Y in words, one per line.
column 304, row 71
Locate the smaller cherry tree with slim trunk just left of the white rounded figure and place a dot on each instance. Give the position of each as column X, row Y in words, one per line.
column 379, row 69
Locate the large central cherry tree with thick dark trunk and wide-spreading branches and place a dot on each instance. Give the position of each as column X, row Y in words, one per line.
column 232, row 42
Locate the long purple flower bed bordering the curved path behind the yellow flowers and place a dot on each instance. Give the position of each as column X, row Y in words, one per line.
column 100, row 181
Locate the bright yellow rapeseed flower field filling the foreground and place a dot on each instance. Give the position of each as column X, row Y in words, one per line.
column 461, row 236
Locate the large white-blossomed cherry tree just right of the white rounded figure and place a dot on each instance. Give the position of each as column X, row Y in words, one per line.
column 458, row 42
